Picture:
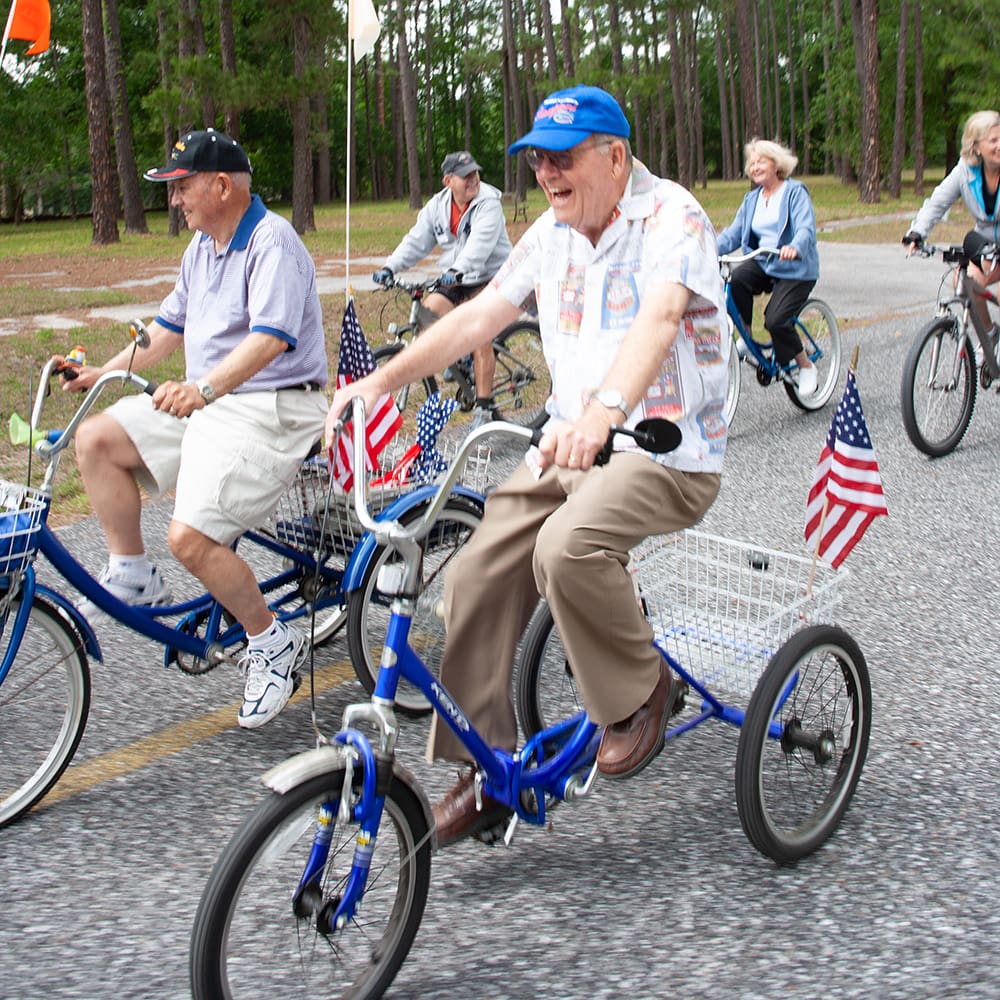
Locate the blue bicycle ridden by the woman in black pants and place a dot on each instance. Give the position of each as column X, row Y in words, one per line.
column 820, row 335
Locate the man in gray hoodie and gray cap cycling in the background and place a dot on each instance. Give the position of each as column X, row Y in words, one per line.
column 465, row 219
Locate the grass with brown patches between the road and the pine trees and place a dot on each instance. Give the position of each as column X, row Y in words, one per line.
column 50, row 268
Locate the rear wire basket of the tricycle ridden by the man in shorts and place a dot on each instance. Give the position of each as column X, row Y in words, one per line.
column 311, row 501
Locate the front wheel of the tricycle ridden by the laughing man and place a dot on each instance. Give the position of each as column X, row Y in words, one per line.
column 248, row 941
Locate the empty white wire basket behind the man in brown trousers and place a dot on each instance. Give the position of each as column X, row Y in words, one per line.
column 722, row 608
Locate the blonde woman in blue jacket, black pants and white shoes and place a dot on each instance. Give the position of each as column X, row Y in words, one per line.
column 777, row 214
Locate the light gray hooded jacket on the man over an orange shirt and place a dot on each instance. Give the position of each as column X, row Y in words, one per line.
column 478, row 250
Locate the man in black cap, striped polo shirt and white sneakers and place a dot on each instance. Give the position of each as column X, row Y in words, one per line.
column 229, row 435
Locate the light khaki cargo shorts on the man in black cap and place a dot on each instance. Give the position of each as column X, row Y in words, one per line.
column 229, row 462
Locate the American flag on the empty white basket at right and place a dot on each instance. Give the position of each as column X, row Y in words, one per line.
column 846, row 494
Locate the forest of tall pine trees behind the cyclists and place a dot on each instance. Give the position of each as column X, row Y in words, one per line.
column 862, row 90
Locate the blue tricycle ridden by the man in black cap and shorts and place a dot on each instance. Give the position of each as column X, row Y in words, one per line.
column 315, row 564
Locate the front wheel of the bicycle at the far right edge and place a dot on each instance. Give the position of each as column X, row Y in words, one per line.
column 938, row 389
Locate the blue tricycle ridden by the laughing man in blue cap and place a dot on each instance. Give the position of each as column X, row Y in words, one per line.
column 321, row 890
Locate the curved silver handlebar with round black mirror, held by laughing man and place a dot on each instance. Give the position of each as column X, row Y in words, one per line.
column 654, row 435
